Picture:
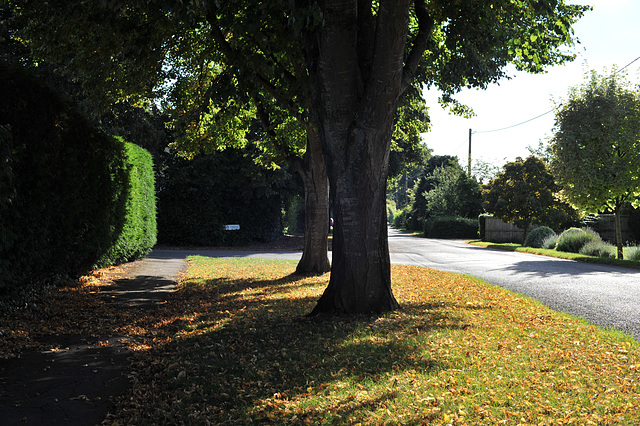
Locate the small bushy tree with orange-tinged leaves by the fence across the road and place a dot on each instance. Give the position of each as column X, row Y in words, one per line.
column 524, row 194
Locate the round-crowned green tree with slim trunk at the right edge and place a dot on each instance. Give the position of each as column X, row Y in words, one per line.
column 596, row 146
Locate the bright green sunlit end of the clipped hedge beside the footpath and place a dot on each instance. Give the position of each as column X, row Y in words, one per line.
column 138, row 234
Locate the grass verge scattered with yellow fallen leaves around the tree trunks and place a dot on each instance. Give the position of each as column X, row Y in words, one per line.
column 231, row 348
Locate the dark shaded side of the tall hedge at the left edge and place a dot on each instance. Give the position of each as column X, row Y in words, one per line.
column 63, row 199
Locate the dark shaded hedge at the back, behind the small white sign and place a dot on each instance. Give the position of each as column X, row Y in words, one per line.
column 197, row 198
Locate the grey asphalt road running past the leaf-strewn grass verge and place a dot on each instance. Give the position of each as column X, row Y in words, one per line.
column 605, row 295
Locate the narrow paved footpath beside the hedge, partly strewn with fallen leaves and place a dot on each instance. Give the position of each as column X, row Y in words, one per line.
column 76, row 381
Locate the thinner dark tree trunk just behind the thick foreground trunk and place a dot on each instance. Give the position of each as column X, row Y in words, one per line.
column 316, row 207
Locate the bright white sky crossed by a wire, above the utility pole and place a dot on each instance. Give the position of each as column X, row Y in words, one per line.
column 609, row 36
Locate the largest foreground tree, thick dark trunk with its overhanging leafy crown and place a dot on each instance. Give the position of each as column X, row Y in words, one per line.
column 340, row 68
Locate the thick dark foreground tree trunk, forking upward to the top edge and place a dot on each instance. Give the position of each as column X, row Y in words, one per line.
column 356, row 80
